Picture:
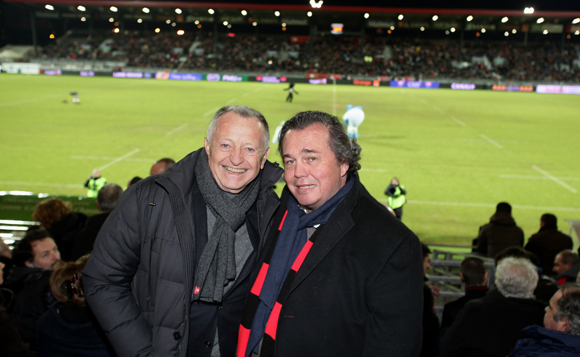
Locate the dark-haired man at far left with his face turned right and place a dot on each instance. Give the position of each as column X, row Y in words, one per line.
column 34, row 259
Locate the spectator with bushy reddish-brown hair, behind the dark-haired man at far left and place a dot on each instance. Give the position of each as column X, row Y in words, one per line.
column 63, row 224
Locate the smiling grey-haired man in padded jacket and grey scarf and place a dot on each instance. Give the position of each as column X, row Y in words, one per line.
column 169, row 274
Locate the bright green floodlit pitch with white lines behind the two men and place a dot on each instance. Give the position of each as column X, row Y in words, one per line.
column 458, row 153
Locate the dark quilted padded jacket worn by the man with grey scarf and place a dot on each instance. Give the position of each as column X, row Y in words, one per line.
column 150, row 241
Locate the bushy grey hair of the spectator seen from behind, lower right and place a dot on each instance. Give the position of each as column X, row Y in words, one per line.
column 516, row 277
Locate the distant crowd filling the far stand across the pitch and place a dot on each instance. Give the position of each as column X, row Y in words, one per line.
column 342, row 55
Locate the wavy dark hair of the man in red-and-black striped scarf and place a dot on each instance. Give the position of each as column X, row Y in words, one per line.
column 345, row 150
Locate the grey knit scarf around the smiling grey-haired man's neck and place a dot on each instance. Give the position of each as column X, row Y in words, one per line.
column 217, row 264
